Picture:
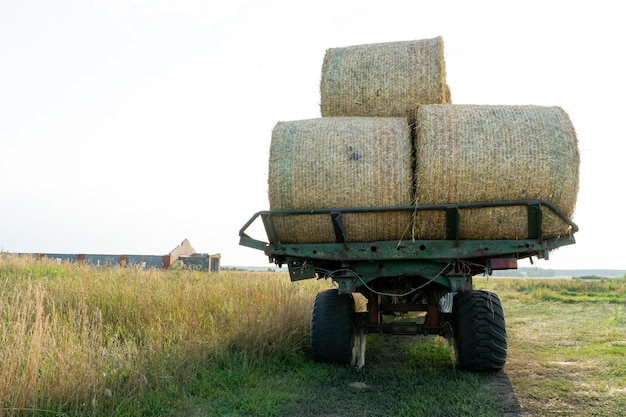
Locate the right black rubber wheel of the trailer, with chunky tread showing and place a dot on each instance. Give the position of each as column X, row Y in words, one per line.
column 479, row 331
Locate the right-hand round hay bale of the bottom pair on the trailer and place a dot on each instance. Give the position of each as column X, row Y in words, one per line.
column 474, row 153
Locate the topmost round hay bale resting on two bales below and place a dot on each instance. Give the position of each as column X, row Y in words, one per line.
column 383, row 80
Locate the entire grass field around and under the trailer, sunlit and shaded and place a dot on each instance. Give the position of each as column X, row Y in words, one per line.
column 80, row 341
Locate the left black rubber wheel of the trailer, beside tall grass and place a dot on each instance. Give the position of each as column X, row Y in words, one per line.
column 333, row 335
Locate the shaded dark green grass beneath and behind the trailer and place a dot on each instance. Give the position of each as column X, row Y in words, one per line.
column 416, row 382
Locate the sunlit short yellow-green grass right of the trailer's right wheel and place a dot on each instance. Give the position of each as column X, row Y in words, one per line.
column 569, row 355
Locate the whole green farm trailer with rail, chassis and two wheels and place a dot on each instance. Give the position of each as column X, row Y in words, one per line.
column 412, row 287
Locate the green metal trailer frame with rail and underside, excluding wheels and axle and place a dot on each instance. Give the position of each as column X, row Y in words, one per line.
column 425, row 258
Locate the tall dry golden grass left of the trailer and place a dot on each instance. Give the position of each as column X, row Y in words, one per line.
column 82, row 340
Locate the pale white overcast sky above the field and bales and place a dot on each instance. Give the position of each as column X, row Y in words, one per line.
column 127, row 126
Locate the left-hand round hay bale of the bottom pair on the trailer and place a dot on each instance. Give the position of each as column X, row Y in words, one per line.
column 339, row 162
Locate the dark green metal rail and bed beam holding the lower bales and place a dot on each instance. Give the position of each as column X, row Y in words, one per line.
column 450, row 248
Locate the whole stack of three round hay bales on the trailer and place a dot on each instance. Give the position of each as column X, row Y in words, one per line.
column 389, row 136
